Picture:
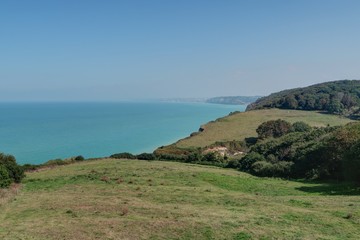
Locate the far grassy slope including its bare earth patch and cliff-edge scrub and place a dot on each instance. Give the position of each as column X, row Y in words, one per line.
column 232, row 136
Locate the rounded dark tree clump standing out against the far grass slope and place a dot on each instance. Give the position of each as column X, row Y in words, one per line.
column 273, row 128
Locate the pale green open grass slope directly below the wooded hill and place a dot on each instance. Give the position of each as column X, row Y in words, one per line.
column 243, row 125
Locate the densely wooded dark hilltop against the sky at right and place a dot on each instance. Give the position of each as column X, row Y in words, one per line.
column 339, row 97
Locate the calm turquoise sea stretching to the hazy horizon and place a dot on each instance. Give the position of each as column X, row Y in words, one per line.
column 37, row 132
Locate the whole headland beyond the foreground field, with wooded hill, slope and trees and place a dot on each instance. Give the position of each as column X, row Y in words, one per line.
column 273, row 138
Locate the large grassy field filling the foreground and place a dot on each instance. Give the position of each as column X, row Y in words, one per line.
column 131, row 199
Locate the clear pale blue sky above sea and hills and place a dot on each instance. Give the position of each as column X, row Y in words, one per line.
column 111, row 50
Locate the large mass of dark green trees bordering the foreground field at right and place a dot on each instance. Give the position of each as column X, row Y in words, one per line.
column 319, row 153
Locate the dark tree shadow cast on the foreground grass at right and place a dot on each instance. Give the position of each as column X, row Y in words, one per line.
column 330, row 188
